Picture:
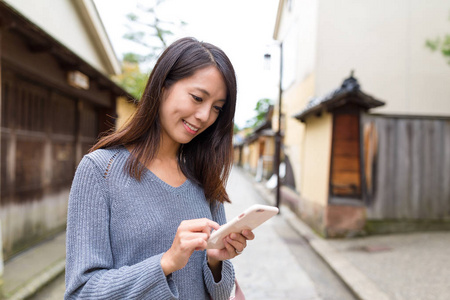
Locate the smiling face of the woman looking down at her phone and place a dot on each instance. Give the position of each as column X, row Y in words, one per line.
column 191, row 105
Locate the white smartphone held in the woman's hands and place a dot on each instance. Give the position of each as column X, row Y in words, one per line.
column 251, row 218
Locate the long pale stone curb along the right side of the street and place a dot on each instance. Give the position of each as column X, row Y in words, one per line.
column 359, row 284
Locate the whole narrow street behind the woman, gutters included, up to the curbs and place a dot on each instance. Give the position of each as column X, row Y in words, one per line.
column 278, row 264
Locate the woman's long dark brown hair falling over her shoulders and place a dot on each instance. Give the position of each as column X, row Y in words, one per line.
column 206, row 159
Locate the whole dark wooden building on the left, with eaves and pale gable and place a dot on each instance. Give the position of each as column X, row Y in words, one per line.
column 54, row 105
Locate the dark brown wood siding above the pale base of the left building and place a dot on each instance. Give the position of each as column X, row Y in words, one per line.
column 38, row 139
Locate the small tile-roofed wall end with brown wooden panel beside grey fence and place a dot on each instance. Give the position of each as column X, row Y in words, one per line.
column 341, row 110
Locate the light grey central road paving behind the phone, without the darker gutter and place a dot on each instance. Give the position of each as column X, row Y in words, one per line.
column 267, row 269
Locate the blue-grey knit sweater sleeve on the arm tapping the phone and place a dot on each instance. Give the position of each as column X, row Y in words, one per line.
column 90, row 272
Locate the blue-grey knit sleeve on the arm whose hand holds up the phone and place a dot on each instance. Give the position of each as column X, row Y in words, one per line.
column 222, row 289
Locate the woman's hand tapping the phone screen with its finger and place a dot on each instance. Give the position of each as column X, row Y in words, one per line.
column 191, row 235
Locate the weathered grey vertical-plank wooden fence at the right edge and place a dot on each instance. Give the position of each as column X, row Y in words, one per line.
column 406, row 167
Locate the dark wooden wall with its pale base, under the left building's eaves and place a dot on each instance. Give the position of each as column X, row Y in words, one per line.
column 44, row 133
